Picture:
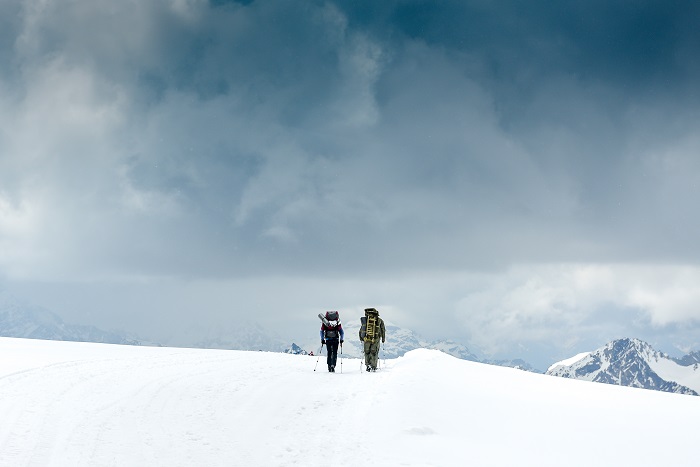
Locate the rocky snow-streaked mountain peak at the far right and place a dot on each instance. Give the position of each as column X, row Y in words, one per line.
column 631, row 362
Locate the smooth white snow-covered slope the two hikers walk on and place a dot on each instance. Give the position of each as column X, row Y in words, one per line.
column 79, row 404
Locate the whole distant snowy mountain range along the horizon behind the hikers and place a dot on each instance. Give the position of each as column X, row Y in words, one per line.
column 626, row 362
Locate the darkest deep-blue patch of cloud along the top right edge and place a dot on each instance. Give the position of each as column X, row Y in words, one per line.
column 647, row 42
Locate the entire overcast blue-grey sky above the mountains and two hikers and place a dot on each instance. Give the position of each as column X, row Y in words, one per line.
column 521, row 176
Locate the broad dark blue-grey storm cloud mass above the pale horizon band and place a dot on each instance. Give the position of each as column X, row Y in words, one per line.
column 284, row 132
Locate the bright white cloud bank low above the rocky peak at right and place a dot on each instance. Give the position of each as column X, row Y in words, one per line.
column 566, row 303
